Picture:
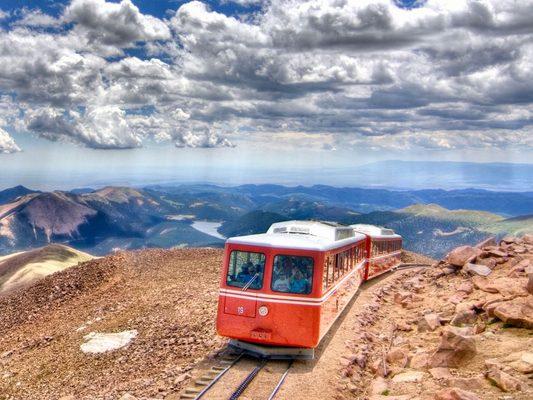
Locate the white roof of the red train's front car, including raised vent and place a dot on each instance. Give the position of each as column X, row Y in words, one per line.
column 302, row 235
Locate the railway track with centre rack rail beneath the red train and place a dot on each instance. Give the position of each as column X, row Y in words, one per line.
column 203, row 386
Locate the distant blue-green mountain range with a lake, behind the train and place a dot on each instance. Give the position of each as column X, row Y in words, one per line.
column 111, row 218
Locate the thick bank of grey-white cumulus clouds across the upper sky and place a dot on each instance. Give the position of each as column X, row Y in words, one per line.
column 443, row 74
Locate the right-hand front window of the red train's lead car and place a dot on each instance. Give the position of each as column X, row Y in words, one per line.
column 292, row 274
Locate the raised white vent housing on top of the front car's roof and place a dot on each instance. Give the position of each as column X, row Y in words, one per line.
column 327, row 230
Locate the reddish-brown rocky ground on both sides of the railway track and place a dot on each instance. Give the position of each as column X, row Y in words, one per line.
column 446, row 332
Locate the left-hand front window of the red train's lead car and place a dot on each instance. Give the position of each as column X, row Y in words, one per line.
column 246, row 269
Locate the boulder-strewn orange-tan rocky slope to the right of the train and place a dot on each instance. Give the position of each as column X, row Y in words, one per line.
column 461, row 330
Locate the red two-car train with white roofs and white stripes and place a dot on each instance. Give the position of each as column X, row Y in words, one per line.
column 286, row 287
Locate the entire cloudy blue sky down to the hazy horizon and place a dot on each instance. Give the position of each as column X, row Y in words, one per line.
column 146, row 90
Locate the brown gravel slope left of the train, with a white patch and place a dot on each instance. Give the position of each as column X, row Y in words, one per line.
column 166, row 298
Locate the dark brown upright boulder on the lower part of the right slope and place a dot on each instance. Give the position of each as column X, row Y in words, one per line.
column 456, row 348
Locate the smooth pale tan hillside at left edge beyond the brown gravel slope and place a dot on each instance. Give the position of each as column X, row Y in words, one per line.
column 22, row 269
